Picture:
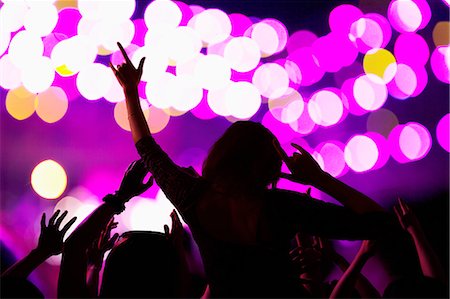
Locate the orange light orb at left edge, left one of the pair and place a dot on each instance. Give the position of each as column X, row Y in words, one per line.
column 20, row 103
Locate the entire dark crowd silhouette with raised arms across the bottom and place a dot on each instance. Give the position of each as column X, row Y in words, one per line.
column 255, row 239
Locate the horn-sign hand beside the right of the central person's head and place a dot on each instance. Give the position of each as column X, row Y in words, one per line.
column 304, row 169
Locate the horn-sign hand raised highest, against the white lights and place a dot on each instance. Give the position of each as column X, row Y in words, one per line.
column 127, row 75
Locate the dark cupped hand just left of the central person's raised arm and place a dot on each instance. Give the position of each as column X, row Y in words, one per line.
column 132, row 182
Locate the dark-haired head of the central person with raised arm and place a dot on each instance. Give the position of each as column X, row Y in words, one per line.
column 244, row 156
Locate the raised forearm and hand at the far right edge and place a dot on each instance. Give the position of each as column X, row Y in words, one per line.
column 429, row 262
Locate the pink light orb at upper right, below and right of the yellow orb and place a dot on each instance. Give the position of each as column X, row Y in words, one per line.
column 404, row 83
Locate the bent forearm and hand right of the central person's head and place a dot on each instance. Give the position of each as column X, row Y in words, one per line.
column 305, row 170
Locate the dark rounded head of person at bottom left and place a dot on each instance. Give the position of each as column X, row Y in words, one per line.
column 142, row 265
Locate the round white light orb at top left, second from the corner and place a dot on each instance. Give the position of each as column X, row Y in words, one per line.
column 41, row 19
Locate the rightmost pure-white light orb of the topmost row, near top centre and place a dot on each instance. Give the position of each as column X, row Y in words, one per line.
column 213, row 25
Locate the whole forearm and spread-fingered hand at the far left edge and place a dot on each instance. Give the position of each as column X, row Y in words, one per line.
column 50, row 243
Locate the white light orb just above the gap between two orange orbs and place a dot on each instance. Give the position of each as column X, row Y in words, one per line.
column 38, row 75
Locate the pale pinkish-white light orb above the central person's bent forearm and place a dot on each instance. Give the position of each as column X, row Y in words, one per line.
column 361, row 153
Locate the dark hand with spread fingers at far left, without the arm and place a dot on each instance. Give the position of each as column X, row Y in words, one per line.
column 51, row 238
